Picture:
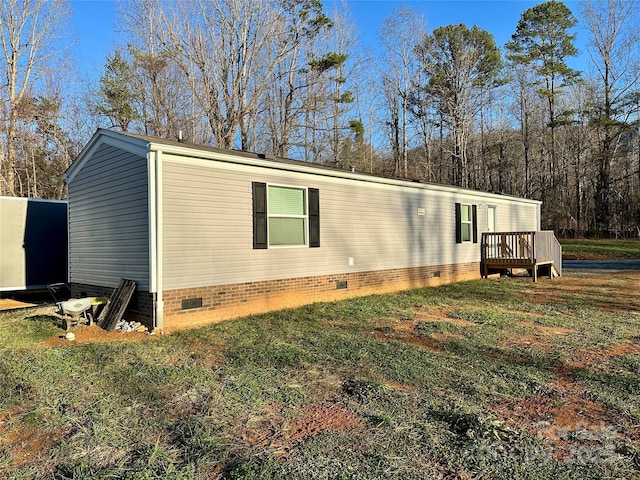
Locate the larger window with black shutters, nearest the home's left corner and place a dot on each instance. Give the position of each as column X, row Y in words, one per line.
column 285, row 216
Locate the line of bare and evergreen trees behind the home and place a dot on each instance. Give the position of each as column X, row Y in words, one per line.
column 290, row 79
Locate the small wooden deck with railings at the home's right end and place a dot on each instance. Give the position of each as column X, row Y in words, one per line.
column 537, row 251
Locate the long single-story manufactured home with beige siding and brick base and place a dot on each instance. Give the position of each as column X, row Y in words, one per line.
column 210, row 234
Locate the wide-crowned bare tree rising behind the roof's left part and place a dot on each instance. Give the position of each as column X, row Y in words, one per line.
column 228, row 50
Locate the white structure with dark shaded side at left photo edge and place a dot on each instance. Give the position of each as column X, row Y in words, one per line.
column 33, row 243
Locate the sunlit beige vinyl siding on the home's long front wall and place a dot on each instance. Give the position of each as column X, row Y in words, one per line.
column 207, row 225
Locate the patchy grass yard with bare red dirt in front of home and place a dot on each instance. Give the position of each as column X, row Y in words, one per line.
column 491, row 379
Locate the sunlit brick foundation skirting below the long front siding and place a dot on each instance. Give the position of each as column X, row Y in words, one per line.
column 236, row 300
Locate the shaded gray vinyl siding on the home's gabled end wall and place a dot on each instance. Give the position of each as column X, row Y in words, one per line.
column 109, row 220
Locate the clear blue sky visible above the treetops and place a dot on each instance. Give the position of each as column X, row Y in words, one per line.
column 94, row 24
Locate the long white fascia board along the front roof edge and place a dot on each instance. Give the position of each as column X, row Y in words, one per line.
column 338, row 174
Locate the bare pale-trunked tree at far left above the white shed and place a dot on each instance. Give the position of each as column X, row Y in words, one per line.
column 30, row 30
